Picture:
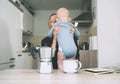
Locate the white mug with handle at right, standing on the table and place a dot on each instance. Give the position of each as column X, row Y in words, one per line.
column 71, row 66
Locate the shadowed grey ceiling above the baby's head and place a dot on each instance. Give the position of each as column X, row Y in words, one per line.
column 55, row 4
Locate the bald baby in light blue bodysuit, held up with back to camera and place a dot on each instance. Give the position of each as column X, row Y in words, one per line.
column 65, row 37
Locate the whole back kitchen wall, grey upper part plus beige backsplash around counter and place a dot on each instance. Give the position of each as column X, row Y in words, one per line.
column 41, row 25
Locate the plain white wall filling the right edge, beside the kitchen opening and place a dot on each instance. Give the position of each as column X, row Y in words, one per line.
column 108, row 24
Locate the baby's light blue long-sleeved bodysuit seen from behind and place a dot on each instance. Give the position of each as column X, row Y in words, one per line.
column 65, row 38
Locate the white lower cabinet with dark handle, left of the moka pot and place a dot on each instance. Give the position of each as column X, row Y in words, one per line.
column 24, row 61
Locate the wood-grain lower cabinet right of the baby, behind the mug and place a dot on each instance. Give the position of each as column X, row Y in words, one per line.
column 88, row 58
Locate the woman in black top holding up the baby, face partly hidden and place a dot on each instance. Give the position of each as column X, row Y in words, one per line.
column 52, row 42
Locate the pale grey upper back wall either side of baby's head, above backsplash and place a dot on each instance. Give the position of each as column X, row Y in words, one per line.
column 41, row 20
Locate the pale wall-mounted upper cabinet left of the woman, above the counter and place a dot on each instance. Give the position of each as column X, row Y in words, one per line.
column 28, row 21
